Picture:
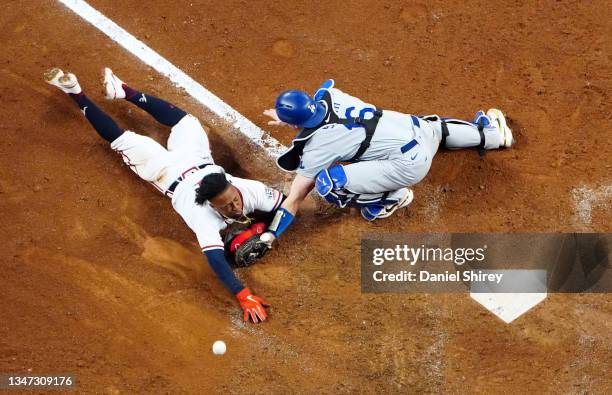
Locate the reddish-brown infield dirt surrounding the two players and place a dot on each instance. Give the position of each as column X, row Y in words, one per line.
column 101, row 278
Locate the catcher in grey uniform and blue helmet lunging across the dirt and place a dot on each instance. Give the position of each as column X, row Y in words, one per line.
column 388, row 151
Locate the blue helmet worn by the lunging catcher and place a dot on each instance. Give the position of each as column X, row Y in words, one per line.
column 298, row 108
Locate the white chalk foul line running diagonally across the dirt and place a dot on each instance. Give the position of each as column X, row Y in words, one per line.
column 178, row 77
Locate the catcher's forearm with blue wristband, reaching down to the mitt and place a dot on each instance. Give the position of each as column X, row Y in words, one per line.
column 300, row 188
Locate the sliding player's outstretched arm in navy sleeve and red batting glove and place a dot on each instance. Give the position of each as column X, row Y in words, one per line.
column 252, row 306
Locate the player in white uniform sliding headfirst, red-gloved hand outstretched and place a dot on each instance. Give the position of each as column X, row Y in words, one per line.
column 205, row 196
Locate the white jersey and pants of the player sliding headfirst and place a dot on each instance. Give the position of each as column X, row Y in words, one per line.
column 188, row 148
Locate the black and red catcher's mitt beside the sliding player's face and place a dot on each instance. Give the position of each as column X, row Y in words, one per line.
column 242, row 246
